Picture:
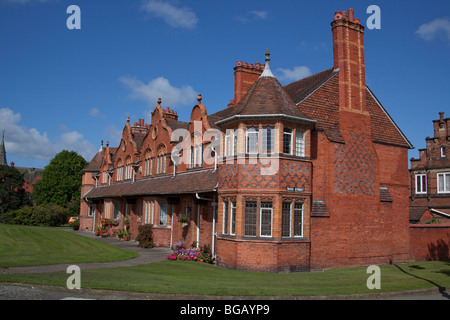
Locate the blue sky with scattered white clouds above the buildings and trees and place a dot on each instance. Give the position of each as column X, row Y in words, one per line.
column 70, row 89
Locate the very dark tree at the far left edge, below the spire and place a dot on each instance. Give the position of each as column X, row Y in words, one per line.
column 12, row 195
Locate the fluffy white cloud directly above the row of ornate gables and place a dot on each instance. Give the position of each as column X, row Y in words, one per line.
column 160, row 88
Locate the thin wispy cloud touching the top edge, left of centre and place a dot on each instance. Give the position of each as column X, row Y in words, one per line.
column 174, row 16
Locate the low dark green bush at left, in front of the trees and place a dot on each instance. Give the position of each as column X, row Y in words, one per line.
column 46, row 215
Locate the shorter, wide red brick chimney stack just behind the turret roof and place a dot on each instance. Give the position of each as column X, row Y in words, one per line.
column 245, row 75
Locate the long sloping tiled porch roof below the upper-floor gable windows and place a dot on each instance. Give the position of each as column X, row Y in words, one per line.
column 181, row 183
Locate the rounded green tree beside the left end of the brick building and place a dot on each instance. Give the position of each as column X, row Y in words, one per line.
column 61, row 180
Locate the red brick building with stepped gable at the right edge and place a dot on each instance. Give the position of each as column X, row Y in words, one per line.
column 430, row 177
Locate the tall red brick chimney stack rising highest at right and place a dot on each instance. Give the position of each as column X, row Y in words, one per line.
column 348, row 46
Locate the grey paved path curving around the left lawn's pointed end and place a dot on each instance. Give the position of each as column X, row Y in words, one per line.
column 145, row 256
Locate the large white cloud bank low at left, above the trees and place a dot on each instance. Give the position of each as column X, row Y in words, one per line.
column 30, row 143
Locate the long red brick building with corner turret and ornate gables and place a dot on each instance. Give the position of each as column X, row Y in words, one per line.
column 306, row 176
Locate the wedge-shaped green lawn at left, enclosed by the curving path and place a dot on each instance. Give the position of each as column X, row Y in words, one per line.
column 33, row 246
